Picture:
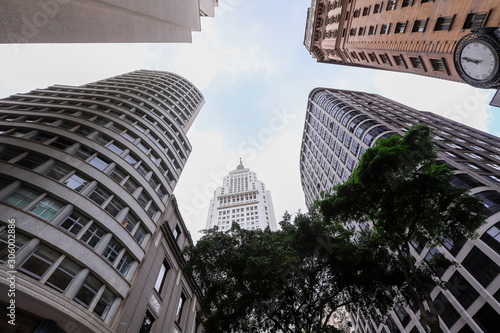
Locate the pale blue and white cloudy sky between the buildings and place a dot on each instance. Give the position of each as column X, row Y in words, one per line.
column 255, row 73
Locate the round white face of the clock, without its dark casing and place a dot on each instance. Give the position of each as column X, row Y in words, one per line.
column 479, row 60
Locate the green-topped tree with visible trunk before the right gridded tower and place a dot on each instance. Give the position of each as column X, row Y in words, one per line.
column 400, row 190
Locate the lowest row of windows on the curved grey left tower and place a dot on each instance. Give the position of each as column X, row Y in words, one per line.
column 58, row 272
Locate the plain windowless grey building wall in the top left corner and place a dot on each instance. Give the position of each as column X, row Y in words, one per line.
column 103, row 21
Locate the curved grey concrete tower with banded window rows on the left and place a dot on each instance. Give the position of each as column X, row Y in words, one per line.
column 86, row 178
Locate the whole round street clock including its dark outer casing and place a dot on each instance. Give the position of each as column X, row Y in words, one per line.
column 477, row 60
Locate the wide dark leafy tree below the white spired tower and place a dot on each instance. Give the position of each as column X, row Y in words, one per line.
column 291, row 280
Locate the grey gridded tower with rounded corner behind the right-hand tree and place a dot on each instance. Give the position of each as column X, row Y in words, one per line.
column 341, row 125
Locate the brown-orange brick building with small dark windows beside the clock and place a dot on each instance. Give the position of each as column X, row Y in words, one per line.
column 411, row 36
